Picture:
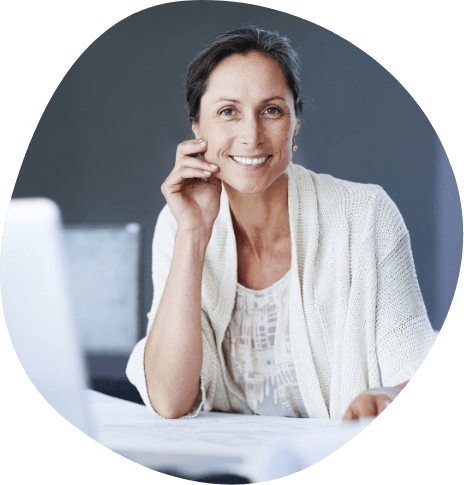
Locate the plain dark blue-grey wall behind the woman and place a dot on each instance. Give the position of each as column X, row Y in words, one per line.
column 107, row 139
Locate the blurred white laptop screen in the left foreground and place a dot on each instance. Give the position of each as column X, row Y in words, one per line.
column 37, row 307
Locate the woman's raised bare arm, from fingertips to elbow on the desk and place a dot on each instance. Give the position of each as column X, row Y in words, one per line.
column 173, row 351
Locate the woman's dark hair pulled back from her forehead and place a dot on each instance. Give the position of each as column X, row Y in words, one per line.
column 242, row 41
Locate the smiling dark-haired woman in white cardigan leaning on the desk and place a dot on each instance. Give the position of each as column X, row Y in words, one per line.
column 276, row 290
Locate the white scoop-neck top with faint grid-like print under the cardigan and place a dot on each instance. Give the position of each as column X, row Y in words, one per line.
column 257, row 351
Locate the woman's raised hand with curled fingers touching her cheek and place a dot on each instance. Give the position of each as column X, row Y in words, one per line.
column 193, row 202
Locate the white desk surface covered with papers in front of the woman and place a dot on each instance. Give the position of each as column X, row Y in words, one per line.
column 260, row 447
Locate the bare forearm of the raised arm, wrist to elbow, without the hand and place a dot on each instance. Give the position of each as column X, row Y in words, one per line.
column 173, row 352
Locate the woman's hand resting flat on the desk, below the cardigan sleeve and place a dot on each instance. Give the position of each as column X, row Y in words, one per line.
column 371, row 402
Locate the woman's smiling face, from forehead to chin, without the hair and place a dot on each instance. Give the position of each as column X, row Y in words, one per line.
column 247, row 114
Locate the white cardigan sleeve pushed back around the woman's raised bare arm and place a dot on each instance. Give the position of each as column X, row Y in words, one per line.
column 162, row 250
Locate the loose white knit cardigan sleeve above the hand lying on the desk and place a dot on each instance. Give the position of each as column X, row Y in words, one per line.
column 404, row 335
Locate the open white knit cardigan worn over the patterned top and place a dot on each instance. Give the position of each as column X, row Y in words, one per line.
column 357, row 317
